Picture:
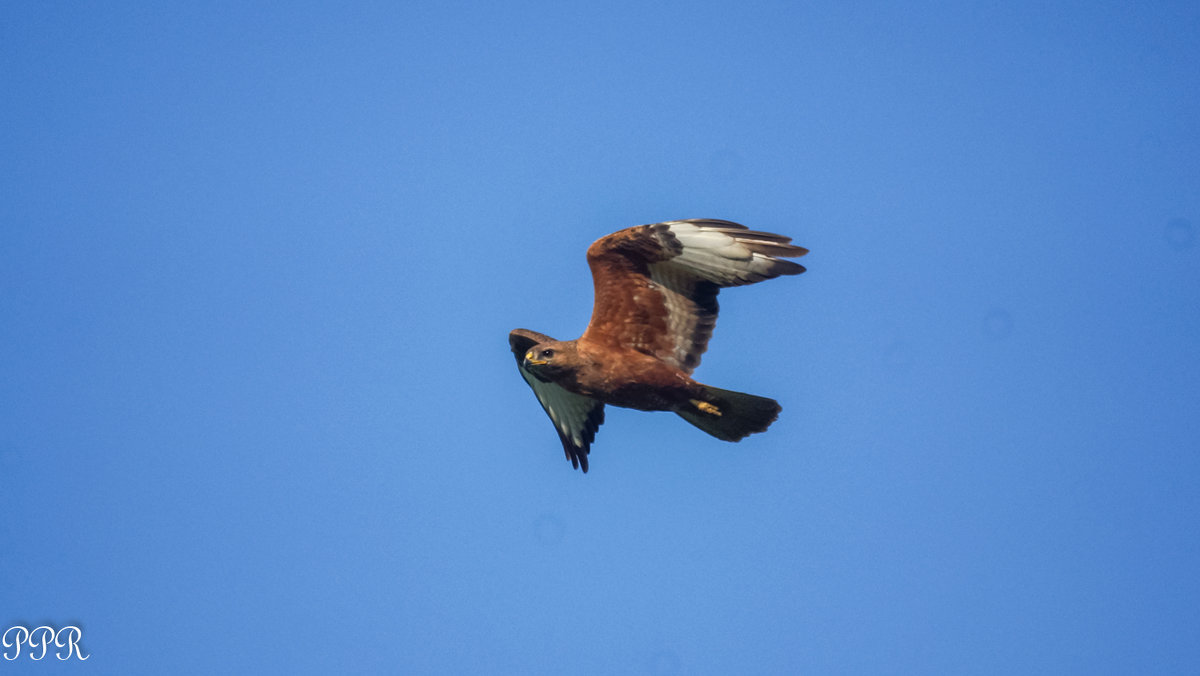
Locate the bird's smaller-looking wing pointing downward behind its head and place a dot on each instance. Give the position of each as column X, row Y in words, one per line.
column 577, row 417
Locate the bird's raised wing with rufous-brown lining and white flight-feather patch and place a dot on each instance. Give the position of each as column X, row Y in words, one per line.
column 656, row 286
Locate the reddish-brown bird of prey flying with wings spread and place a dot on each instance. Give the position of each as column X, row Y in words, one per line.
column 655, row 312
